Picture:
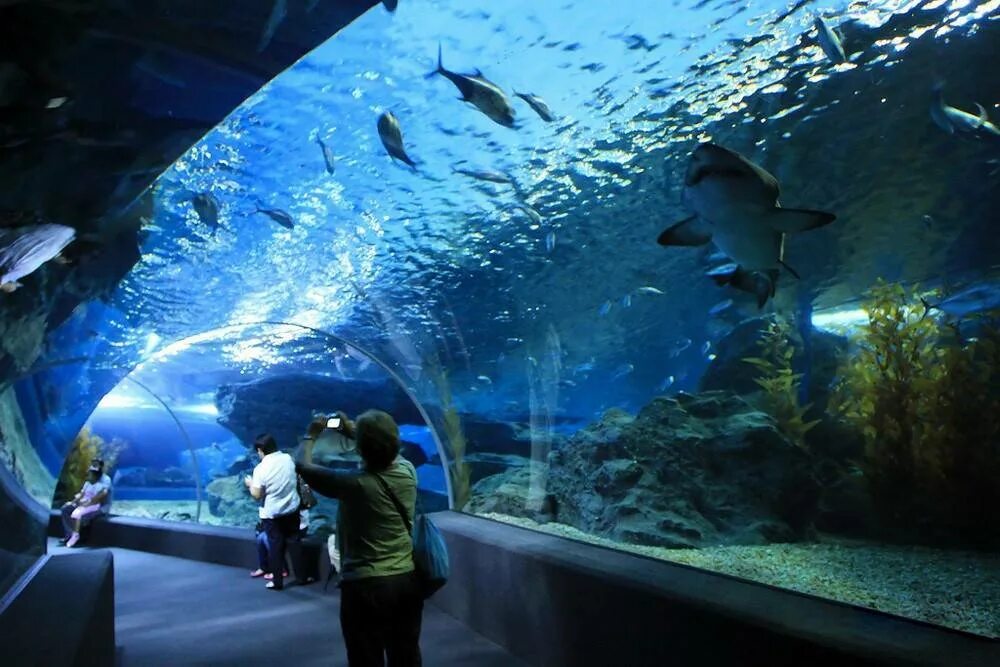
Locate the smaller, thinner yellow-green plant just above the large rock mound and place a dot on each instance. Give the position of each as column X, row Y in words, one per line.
column 780, row 383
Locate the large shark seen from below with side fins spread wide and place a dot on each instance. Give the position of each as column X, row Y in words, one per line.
column 735, row 205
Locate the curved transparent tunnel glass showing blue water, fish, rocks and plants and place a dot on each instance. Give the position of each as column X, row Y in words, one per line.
column 586, row 321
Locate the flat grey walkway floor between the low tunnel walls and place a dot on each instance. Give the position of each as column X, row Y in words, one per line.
column 172, row 611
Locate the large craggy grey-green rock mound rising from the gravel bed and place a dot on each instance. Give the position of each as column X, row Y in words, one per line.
column 690, row 471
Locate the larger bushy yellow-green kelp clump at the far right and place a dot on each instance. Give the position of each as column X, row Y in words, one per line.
column 927, row 401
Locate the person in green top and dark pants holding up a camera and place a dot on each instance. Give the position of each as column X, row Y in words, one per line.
column 381, row 604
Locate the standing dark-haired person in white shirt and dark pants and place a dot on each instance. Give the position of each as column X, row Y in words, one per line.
column 274, row 481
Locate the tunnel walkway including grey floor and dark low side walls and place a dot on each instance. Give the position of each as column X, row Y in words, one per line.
column 150, row 592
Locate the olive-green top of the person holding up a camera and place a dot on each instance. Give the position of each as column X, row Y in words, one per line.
column 371, row 536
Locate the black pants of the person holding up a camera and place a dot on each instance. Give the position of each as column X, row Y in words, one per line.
column 380, row 618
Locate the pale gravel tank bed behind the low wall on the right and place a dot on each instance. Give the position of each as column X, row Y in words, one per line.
column 956, row 589
